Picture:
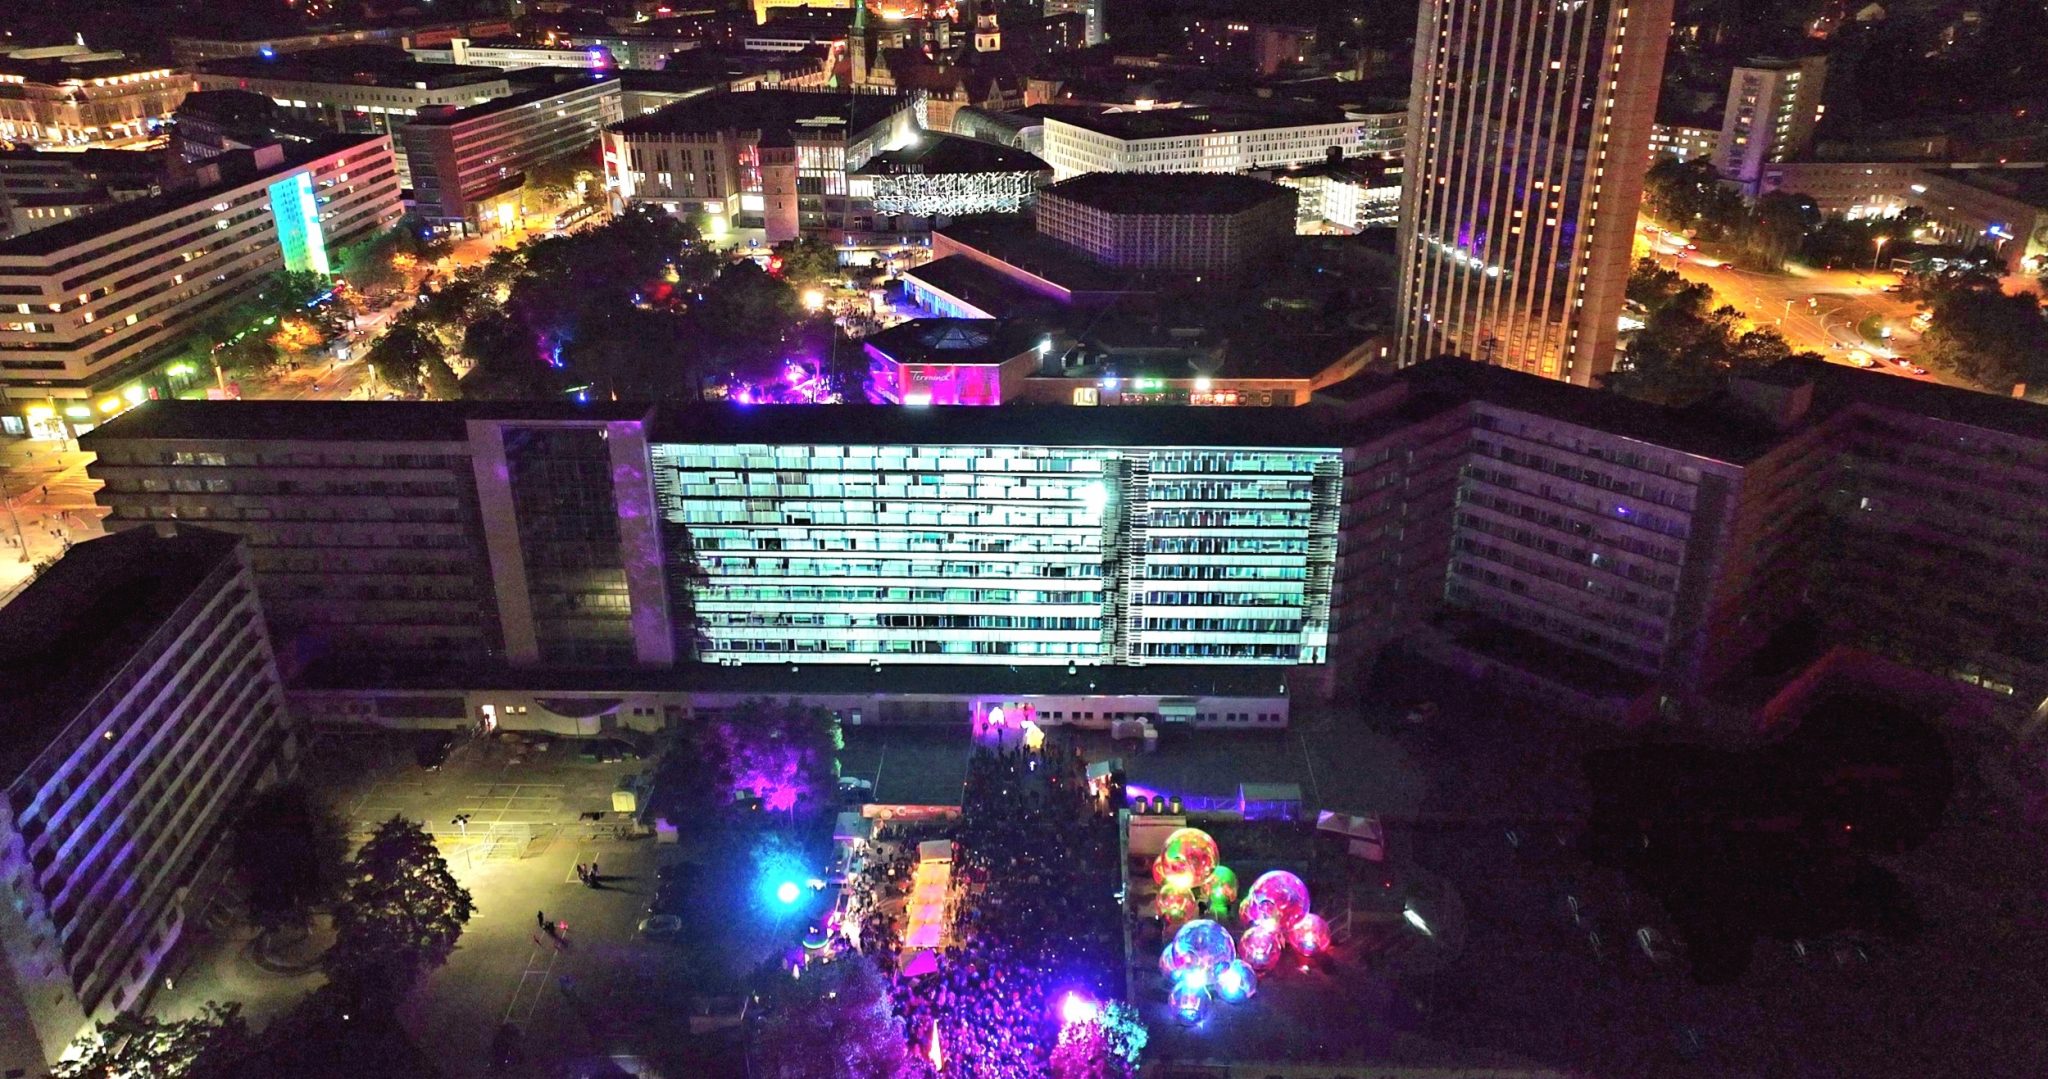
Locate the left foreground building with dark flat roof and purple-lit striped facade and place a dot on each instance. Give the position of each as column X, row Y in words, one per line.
column 142, row 709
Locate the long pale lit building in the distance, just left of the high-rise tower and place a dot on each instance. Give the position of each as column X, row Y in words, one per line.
column 1193, row 138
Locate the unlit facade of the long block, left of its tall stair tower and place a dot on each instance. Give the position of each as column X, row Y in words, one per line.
column 364, row 529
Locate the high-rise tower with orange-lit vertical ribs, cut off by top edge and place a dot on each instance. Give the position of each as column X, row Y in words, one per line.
column 1525, row 169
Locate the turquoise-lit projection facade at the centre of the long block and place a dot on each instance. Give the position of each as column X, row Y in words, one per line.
column 1000, row 554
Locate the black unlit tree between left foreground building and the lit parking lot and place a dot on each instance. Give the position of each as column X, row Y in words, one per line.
column 290, row 855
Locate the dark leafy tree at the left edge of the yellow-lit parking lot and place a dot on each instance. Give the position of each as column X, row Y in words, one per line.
column 400, row 912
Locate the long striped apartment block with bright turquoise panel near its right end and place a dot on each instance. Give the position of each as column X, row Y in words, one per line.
column 95, row 310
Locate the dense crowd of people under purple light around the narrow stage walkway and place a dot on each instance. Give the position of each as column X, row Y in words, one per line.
column 1035, row 914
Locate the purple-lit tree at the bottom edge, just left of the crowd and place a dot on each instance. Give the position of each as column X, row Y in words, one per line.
column 835, row 1023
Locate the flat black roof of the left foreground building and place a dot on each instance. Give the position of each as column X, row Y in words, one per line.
column 83, row 621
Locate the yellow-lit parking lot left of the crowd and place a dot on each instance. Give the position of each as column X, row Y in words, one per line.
column 585, row 1000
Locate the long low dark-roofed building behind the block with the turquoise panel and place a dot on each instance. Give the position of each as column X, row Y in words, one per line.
column 357, row 89
